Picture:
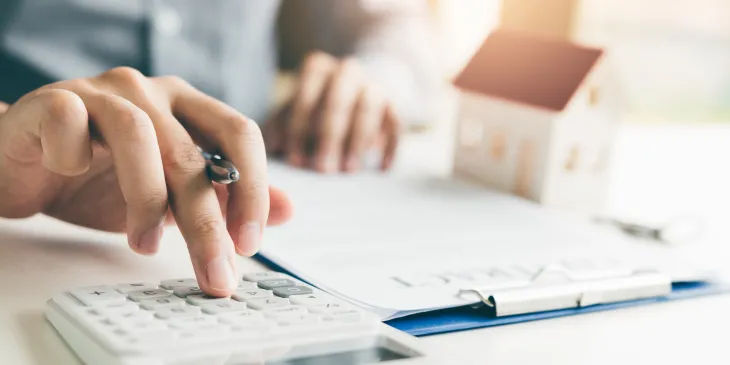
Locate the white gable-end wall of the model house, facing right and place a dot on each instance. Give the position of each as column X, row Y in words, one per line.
column 578, row 175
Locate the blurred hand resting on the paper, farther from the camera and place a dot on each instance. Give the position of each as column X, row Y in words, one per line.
column 335, row 117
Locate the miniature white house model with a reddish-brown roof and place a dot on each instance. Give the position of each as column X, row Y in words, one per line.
column 535, row 119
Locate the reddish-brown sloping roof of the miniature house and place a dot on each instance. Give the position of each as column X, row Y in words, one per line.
column 531, row 70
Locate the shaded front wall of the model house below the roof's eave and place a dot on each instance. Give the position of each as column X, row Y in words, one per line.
column 502, row 144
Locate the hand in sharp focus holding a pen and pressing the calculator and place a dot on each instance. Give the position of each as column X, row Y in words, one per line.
column 113, row 152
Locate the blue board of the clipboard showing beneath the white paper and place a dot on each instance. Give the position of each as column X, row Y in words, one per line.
column 473, row 317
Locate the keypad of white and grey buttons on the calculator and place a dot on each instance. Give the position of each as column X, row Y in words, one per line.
column 149, row 317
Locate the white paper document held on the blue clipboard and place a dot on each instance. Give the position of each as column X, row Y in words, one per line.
column 405, row 243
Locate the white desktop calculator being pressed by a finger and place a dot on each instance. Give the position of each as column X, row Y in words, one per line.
column 271, row 319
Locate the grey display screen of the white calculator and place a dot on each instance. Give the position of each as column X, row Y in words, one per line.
column 357, row 357
